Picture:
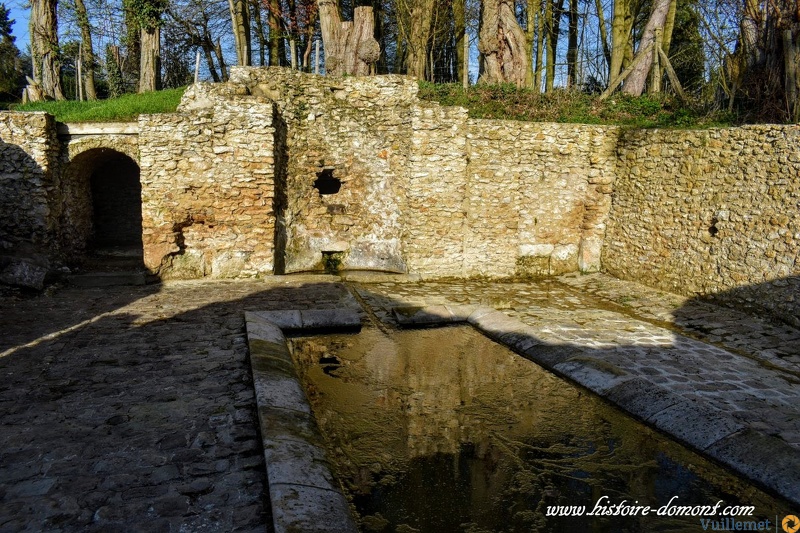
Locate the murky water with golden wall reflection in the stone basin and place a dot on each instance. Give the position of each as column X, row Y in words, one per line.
column 443, row 430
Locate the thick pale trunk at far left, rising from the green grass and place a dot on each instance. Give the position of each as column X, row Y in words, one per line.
column 44, row 48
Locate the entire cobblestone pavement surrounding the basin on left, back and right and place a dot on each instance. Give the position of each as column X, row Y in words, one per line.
column 132, row 408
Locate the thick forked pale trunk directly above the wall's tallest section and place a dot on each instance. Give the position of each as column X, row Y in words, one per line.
column 350, row 47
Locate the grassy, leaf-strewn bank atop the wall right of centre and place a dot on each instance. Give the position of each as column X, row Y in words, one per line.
column 571, row 106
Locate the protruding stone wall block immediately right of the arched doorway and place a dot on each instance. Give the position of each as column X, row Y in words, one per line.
column 208, row 189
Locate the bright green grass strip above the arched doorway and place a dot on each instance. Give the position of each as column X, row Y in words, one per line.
column 126, row 108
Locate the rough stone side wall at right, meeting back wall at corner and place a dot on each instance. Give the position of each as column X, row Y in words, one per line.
column 710, row 212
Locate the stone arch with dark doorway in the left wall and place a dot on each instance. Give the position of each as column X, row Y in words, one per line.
column 102, row 197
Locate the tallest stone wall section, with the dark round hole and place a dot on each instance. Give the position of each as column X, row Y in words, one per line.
column 347, row 143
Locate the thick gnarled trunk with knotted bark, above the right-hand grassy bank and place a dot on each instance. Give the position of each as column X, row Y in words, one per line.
column 502, row 43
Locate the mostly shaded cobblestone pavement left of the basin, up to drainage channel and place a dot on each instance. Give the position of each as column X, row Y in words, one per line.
column 132, row 409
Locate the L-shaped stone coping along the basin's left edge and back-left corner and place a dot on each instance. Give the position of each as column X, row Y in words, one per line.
column 303, row 491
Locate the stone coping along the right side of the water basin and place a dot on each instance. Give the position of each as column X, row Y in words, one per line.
column 764, row 459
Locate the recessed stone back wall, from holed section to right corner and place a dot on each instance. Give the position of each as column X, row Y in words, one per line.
column 423, row 189
